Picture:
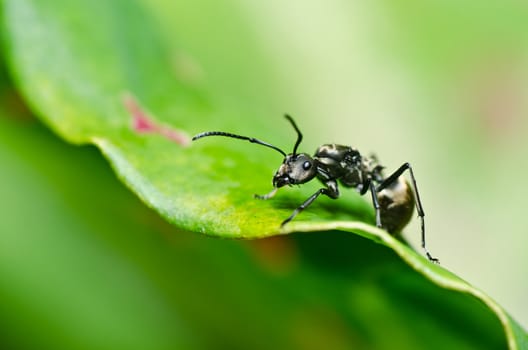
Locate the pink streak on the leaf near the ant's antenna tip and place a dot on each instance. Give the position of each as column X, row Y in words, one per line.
column 143, row 123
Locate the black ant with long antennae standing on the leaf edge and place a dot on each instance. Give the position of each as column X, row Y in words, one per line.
column 392, row 196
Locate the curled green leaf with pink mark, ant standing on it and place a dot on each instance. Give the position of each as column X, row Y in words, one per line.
column 137, row 79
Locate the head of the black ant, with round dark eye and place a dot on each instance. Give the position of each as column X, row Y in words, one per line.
column 295, row 169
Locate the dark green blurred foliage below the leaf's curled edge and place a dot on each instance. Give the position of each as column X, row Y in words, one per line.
column 83, row 271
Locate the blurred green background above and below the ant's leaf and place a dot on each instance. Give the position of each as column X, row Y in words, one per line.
column 441, row 84
